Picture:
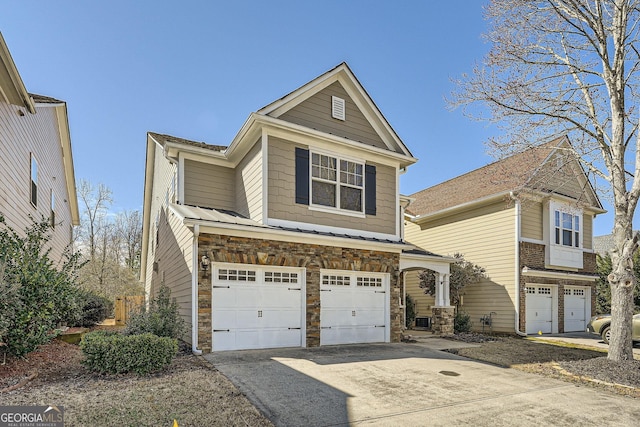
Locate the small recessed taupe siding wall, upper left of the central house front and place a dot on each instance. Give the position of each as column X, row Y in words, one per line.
column 209, row 186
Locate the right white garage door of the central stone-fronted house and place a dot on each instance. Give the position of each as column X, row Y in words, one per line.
column 353, row 307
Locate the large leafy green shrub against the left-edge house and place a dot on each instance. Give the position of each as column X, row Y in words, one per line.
column 44, row 292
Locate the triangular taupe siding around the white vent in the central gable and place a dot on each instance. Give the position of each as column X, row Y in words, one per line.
column 315, row 113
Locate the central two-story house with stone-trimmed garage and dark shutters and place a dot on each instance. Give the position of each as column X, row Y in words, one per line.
column 292, row 235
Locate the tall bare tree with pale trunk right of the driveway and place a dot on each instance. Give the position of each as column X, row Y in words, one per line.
column 571, row 66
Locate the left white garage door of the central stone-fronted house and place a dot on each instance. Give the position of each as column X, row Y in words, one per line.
column 257, row 307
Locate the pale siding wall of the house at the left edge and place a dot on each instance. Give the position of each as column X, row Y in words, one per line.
column 39, row 134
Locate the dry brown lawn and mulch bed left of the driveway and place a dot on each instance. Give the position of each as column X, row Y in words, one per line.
column 191, row 392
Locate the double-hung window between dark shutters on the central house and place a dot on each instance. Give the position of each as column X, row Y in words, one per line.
column 336, row 182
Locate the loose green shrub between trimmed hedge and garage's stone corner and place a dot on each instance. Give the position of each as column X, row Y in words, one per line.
column 161, row 318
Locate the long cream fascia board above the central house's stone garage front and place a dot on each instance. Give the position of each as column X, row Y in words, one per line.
column 265, row 233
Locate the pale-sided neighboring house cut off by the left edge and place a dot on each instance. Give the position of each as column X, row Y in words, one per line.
column 36, row 164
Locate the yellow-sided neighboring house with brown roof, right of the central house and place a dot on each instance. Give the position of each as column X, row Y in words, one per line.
column 527, row 219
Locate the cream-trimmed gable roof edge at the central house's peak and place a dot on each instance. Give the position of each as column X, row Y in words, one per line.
column 342, row 74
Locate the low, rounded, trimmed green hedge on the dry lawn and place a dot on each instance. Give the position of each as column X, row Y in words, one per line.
column 109, row 352
